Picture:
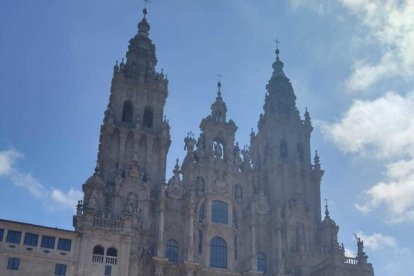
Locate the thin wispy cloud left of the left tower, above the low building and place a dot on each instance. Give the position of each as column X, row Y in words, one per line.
column 26, row 181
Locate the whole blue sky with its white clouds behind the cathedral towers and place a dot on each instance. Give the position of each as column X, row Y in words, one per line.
column 351, row 63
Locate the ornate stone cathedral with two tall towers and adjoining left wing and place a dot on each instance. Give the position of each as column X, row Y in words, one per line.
column 225, row 210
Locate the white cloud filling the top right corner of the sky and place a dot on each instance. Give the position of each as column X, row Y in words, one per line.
column 390, row 25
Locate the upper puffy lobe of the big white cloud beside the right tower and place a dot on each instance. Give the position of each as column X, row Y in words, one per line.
column 381, row 128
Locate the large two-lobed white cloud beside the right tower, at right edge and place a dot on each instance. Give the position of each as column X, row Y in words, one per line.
column 382, row 129
